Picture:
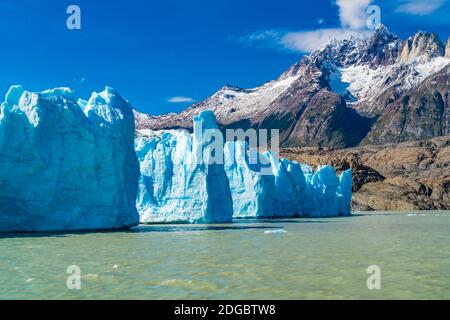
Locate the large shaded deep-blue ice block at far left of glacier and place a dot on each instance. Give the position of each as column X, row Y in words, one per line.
column 66, row 164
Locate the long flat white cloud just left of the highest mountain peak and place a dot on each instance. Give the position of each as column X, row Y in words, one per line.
column 307, row 41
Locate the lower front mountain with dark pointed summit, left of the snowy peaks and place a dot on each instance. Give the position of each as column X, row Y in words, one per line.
column 301, row 105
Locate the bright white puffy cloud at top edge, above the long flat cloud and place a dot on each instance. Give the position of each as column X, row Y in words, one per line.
column 353, row 13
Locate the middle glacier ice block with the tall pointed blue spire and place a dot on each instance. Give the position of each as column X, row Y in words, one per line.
column 174, row 185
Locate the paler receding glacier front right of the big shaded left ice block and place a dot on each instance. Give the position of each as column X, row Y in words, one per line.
column 176, row 185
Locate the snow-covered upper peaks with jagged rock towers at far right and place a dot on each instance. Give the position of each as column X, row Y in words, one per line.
column 380, row 63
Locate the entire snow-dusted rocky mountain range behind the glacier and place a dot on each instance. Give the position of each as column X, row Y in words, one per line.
column 363, row 89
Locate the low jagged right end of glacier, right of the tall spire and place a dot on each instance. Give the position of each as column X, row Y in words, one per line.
column 294, row 190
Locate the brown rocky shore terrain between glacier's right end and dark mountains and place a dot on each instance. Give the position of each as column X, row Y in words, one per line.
column 397, row 177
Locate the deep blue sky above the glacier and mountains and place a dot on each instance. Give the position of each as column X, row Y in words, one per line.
column 162, row 55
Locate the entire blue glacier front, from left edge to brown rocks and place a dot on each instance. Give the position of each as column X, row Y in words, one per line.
column 67, row 164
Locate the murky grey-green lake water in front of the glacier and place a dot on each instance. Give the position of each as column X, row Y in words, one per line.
column 278, row 259
